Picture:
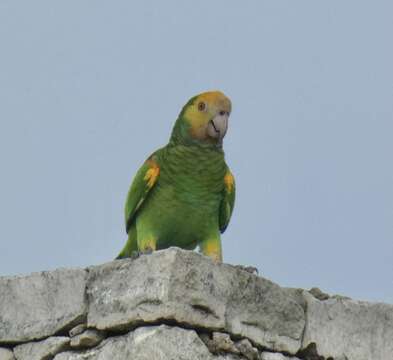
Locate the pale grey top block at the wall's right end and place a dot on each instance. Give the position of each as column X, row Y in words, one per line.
column 344, row 328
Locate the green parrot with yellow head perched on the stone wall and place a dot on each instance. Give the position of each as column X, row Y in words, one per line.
column 184, row 193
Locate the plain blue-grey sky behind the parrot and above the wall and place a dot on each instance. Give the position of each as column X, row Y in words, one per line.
column 88, row 89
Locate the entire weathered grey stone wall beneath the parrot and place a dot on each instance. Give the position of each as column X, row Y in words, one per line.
column 177, row 304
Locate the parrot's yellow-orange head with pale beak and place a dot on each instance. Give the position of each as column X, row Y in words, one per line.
column 203, row 120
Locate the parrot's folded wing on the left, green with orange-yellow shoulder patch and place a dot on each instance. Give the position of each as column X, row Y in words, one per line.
column 144, row 181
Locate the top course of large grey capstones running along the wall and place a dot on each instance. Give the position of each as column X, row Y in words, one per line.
column 179, row 287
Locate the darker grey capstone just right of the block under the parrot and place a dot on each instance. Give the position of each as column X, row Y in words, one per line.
column 268, row 315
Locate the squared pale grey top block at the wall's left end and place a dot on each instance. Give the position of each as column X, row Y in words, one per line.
column 39, row 305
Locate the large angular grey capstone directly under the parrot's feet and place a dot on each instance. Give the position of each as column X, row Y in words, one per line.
column 127, row 292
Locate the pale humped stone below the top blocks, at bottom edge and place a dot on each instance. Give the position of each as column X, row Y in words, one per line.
column 147, row 343
